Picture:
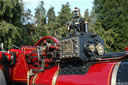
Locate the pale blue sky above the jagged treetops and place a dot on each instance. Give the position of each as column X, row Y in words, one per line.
column 82, row 4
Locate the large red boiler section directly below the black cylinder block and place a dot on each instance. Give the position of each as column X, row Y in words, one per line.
column 98, row 74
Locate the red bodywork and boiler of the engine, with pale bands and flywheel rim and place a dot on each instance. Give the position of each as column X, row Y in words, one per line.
column 20, row 72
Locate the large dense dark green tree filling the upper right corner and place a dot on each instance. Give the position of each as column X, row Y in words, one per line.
column 113, row 16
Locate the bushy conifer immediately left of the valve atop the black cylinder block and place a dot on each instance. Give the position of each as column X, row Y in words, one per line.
column 64, row 15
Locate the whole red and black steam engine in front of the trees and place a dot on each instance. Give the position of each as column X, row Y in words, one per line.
column 78, row 59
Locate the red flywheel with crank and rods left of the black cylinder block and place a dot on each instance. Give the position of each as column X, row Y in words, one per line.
column 44, row 45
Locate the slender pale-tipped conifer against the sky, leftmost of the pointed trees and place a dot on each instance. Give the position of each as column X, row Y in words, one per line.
column 39, row 26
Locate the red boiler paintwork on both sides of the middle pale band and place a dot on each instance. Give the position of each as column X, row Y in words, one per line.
column 98, row 74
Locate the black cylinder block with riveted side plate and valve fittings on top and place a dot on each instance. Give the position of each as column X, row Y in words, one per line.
column 81, row 43
